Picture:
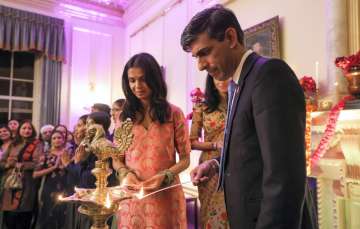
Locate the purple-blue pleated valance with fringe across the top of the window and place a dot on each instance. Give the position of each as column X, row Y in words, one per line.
column 26, row 31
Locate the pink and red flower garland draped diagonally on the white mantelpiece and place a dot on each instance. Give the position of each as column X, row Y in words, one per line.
column 329, row 130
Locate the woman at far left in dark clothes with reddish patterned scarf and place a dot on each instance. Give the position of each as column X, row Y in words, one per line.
column 23, row 154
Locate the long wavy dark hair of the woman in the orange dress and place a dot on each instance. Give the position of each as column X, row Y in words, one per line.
column 159, row 107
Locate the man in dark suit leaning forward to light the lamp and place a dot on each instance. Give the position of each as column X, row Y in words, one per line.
column 262, row 167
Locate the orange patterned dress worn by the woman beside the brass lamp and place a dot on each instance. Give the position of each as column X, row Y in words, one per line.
column 153, row 150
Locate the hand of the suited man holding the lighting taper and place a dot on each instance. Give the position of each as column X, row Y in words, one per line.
column 204, row 171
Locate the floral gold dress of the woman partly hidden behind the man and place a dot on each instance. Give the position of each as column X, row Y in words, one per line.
column 212, row 210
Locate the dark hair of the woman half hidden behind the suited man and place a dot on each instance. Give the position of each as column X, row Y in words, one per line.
column 212, row 95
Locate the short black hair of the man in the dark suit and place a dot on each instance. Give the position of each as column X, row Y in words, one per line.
column 214, row 21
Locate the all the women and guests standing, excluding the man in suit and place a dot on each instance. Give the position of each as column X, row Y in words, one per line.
column 54, row 161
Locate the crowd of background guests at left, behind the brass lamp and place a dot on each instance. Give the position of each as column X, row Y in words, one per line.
column 36, row 169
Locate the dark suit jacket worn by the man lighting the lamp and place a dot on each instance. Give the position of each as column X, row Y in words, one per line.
column 263, row 162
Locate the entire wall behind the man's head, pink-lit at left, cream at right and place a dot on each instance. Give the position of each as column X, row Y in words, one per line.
column 302, row 38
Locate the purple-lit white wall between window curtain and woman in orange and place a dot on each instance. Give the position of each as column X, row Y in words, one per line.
column 94, row 68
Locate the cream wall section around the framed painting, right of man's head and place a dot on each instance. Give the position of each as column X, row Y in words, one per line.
column 302, row 29
